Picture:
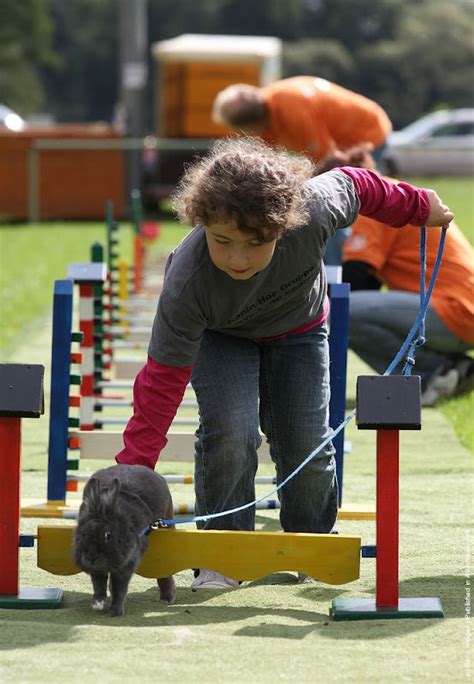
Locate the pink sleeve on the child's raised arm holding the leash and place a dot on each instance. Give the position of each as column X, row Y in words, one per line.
column 394, row 204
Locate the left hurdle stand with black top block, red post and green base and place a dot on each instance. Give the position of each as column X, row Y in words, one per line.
column 21, row 396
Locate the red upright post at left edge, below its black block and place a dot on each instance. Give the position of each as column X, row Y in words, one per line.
column 10, row 466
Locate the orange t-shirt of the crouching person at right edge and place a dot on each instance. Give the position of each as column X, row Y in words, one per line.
column 394, row 253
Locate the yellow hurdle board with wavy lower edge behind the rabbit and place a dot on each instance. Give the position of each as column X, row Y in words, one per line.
column 334, row 559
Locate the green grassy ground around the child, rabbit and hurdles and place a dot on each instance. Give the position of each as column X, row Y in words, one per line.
column 272, row 629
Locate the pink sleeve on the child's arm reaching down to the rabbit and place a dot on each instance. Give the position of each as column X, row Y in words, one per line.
column 157, row 393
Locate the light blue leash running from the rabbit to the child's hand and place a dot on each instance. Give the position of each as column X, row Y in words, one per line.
column 418, row 326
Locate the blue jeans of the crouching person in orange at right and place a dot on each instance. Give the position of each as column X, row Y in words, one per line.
column 379, row 323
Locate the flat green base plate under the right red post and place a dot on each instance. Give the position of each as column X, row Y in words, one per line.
column 366, row 609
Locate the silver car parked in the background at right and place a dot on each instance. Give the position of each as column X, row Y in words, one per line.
column 441, row 143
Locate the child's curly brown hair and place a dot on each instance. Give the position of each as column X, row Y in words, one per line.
column 261, row 188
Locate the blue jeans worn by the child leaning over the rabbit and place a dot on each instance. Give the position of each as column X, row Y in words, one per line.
column 283, row 387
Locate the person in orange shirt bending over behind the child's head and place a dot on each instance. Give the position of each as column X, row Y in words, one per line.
column 307, row 115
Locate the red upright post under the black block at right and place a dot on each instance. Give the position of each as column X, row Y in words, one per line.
column 386, row 587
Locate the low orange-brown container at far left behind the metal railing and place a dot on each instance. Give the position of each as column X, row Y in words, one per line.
column 72, row 184
